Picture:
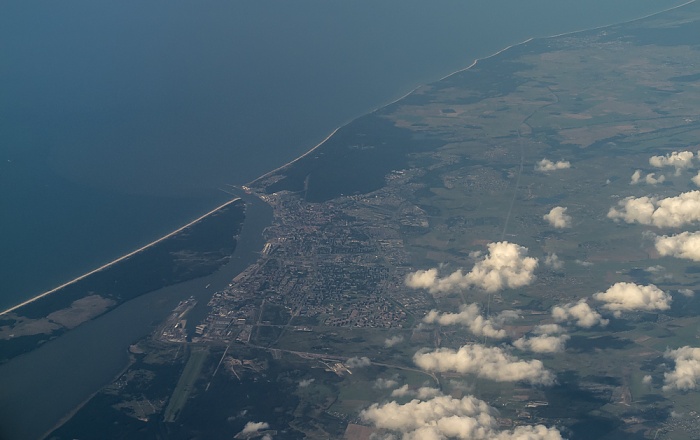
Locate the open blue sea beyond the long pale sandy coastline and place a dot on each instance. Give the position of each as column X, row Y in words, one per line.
column 120, row 121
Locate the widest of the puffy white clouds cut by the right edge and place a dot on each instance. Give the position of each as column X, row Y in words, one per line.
column 669, row 212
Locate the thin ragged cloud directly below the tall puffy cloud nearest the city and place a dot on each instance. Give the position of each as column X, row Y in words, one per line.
column 470, row 317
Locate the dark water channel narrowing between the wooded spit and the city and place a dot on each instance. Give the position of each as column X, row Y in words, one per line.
column 43, row 387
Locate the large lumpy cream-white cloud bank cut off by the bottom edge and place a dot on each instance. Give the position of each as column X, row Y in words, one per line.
column 443, row 417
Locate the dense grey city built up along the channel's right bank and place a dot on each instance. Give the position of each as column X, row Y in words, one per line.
column 341, row 263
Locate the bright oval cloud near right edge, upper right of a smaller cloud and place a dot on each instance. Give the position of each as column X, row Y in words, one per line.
column 634, row 297
